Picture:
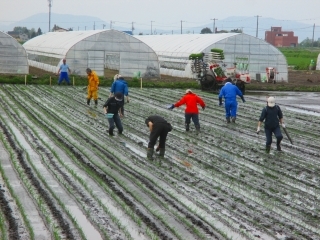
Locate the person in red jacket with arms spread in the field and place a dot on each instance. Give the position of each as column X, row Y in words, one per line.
column 191, row 100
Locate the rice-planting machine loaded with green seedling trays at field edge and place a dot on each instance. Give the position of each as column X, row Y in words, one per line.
column 210, row 74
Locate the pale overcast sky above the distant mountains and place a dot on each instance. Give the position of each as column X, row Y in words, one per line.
column 165, row 13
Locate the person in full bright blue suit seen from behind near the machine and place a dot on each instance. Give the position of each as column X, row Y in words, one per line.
column 230, row 92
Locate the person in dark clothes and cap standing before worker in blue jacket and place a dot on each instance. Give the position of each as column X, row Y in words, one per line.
column 112, row 111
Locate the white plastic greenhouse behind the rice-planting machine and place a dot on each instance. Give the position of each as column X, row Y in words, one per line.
column 249, row 54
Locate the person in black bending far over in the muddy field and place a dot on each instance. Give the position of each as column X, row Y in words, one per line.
column 159, row 128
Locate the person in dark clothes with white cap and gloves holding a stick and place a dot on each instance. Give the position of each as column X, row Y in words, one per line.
column 272, row 115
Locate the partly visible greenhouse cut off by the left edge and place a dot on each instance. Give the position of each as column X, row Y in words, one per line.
column 13, row 57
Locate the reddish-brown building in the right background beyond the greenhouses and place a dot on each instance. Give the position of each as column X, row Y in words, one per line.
column 279, row 38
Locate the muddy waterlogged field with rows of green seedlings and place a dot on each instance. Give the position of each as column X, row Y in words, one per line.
column 63, row 177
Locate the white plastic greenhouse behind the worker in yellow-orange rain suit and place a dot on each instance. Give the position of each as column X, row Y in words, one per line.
column 99, row 50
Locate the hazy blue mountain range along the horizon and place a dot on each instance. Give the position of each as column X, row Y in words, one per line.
column 247, row 24
